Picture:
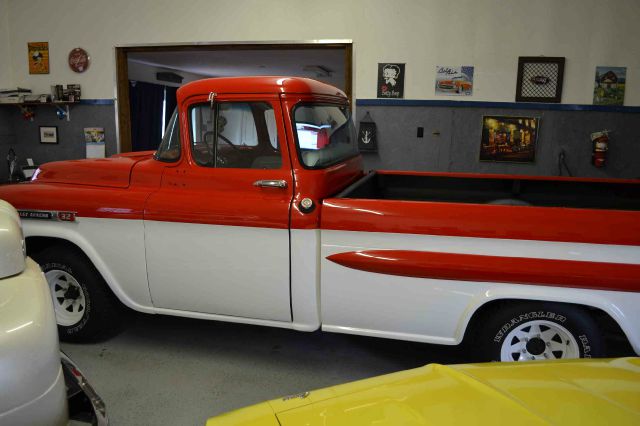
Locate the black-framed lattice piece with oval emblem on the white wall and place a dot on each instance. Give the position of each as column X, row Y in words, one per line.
column 540, row 79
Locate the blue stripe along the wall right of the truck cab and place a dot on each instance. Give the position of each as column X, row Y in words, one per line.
column 504, row 105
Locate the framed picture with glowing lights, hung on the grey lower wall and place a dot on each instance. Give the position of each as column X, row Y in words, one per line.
column 509, row 139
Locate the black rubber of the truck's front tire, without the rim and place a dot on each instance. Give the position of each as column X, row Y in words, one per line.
column 103, row 312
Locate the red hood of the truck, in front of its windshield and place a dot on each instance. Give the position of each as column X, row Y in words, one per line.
column 112, row 172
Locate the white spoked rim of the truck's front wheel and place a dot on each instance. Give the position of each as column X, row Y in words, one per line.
column 68, row 297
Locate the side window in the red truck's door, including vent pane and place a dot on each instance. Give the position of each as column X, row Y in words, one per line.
column 244, row 135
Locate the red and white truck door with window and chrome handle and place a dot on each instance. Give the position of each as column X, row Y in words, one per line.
column 217, row 230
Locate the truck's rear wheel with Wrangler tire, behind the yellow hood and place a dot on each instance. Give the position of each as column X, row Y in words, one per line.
column 499, row 328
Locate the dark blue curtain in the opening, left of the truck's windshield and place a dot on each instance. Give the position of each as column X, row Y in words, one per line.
column 146, row 101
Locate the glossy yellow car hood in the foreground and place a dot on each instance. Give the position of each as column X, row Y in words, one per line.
column 574, row 392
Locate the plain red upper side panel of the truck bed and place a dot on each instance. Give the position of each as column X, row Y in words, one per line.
column 483, row 220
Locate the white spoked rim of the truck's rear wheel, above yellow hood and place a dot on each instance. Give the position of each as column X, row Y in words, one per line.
column 539, row 340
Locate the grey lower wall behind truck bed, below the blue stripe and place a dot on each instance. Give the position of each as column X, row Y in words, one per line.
column 451, row 141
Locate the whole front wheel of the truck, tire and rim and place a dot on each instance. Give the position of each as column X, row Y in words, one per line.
column 84, row 306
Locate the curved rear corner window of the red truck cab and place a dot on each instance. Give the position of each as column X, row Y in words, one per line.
column 325, row 134
